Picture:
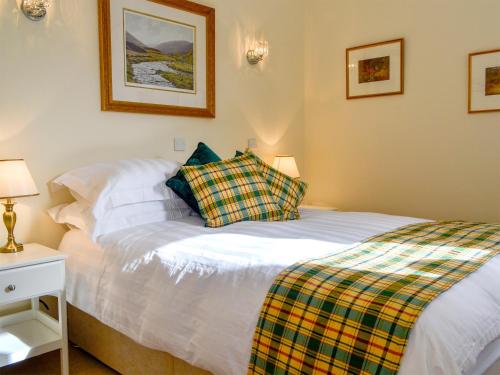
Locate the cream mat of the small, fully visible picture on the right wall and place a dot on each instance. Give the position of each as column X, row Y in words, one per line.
column 392, row 50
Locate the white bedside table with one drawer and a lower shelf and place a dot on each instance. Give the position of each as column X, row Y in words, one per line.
column 37, row 271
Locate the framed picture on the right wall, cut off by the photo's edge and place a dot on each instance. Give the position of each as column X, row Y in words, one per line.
column 484, row 81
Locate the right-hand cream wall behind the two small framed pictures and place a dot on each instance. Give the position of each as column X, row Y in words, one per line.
column 417, row 154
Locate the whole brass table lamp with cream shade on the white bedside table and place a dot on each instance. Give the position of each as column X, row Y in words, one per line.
column 15, row 182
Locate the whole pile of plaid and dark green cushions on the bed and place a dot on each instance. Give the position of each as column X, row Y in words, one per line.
column 244, row 188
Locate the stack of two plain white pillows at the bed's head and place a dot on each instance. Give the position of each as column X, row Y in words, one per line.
column 111, row 196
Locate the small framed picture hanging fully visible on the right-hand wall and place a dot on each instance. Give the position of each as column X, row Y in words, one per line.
column 375, row 69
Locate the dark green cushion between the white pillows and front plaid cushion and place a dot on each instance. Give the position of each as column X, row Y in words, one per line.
column 202, row 155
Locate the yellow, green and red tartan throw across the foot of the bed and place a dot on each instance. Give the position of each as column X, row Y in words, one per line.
column 352, row 312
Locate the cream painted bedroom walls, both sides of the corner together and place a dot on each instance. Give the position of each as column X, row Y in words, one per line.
column 418, row 154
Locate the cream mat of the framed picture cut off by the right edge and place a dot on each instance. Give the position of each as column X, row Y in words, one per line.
column 479, row 100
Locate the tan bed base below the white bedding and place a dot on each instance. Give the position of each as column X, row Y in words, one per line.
column 120, row 352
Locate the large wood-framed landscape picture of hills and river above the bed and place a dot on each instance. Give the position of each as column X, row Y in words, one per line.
column 157, row 57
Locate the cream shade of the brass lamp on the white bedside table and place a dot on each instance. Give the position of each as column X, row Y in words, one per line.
column 16, row 180
